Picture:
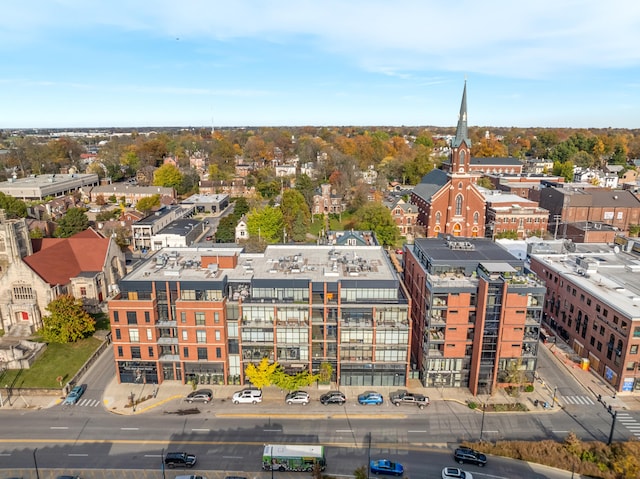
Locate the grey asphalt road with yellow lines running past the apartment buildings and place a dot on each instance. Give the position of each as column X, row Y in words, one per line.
column 229, row 437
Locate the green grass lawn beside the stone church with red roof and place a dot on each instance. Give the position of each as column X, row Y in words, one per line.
column 57, row 360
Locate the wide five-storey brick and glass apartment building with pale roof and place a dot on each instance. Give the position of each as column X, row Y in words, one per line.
column 206, row 313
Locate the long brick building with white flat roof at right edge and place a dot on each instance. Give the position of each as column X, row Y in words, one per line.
column 592, row 301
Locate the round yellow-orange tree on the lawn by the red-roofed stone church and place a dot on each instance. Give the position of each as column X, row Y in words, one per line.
column 67, row 321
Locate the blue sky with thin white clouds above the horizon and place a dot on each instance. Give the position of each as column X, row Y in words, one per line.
column 99, row 63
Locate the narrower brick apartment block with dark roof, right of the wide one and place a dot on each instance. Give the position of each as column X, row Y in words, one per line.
column 476, row 313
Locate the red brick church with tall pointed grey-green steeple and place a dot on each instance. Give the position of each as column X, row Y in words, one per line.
column 449, row 202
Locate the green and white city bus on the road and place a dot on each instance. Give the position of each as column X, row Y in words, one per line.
column 292, row 457
